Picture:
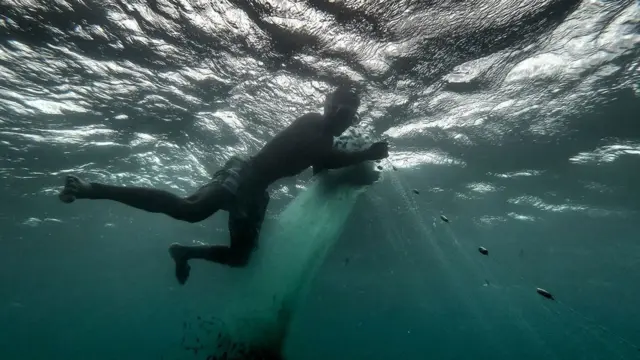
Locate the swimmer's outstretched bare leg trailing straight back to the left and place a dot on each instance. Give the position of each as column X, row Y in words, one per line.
column 197, row 207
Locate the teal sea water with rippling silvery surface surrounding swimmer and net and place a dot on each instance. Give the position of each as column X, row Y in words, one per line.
column 518, row 120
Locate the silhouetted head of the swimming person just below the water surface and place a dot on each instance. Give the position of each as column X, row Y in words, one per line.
column 340, row 110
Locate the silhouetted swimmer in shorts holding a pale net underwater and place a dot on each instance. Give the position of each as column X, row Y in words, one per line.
column 240, row 187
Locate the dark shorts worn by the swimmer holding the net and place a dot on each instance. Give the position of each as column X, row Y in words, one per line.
column 246, row 203
